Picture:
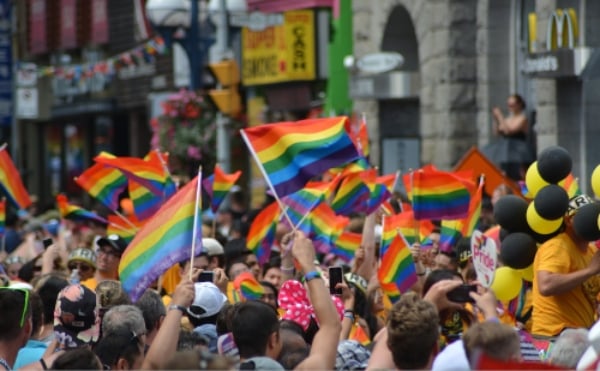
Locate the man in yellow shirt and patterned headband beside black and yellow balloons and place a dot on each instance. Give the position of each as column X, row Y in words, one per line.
column 565, row 282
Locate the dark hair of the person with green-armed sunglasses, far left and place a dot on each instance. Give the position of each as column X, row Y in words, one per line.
column 11, row 306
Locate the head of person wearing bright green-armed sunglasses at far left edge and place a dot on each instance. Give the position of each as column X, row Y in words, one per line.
column 15, row 321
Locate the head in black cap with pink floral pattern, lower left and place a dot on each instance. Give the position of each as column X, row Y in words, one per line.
column 75, row 317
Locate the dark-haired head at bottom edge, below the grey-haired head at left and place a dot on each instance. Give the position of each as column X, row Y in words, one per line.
column 119, row 344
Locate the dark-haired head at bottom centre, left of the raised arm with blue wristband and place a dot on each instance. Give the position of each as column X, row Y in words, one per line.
column 255, row 329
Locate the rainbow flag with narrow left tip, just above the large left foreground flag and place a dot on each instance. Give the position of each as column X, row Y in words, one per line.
column 148, row 173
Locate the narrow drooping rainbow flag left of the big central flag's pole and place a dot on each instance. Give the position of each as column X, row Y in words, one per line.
column 261, row 235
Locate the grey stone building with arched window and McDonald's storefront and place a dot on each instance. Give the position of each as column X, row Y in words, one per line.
column 468, row 56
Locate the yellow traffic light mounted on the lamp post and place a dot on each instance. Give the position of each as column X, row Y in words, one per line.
column 226, row 97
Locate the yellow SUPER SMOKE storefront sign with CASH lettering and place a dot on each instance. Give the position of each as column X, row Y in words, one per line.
column 280, row 53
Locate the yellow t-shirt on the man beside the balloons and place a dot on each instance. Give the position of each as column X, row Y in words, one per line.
column 575, row 308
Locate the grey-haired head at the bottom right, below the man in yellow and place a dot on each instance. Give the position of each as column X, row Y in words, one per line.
column 569, row 347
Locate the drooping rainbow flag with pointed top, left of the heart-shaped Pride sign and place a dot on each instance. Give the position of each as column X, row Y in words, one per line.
column 397, row 266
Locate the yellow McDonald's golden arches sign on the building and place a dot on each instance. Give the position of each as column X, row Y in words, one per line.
column 562, row 30
